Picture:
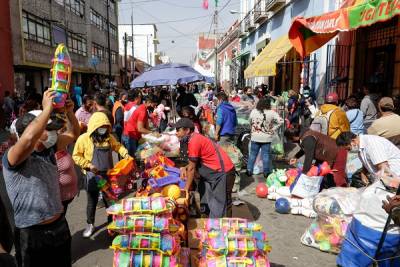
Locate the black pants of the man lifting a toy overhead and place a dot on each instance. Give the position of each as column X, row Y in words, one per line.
column 44, row 245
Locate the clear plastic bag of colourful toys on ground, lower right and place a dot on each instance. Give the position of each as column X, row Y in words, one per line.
column 335, row 208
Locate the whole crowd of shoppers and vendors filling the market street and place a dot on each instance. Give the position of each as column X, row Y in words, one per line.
column 44, row 146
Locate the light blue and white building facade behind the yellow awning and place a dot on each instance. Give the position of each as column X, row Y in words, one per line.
column 264, row 21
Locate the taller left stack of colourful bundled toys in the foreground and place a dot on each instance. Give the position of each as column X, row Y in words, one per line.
column 149, row 236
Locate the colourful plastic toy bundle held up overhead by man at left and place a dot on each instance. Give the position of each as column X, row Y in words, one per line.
column 61, row 71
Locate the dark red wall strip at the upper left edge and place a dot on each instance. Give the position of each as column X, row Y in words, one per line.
column 6, row 68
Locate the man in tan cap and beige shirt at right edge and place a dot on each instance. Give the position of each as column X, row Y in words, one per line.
column 388, row 124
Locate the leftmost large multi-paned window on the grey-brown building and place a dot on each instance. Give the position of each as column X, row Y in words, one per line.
column 36, row 28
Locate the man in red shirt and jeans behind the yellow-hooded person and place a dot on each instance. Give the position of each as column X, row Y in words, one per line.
column 138, row 124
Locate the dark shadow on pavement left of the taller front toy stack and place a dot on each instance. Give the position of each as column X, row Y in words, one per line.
column 81, row 246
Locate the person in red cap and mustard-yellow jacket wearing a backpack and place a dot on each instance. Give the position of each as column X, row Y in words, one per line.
column 335, row 116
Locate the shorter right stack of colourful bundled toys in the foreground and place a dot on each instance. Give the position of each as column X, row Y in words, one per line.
column 232, row 242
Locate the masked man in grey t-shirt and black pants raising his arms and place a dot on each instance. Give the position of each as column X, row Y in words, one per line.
column 32, row 184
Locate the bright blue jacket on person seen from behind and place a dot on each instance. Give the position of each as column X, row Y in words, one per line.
column 226, row 118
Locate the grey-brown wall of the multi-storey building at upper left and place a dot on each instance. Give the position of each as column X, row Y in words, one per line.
column 33, row 59
